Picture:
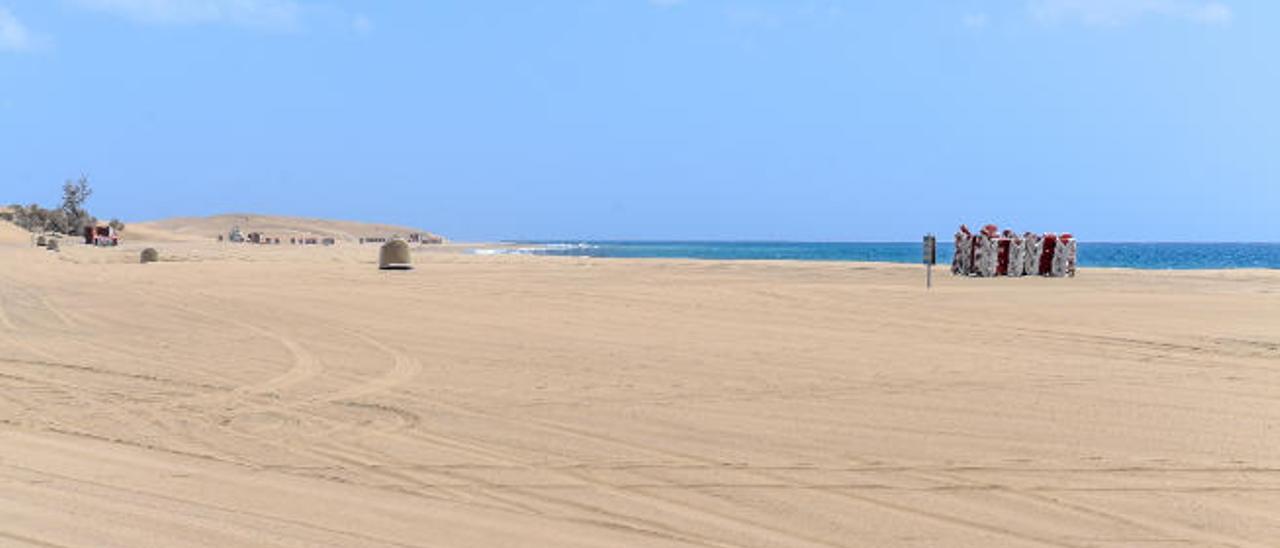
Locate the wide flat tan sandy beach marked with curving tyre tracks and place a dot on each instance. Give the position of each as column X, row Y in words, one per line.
column 250, row 396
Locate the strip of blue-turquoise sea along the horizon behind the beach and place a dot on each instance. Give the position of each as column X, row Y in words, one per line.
column 1091, row 254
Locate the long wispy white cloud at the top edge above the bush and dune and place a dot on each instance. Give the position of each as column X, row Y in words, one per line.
column 277, row 15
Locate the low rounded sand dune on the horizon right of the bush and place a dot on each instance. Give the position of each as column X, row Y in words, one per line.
column 203, row 229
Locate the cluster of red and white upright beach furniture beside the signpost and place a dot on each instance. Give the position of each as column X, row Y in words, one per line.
column 991, row 254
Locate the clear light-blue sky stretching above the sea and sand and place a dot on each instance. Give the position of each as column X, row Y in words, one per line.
column 732, row 120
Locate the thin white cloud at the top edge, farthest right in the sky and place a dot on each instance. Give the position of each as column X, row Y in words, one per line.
column 1122, row 12
